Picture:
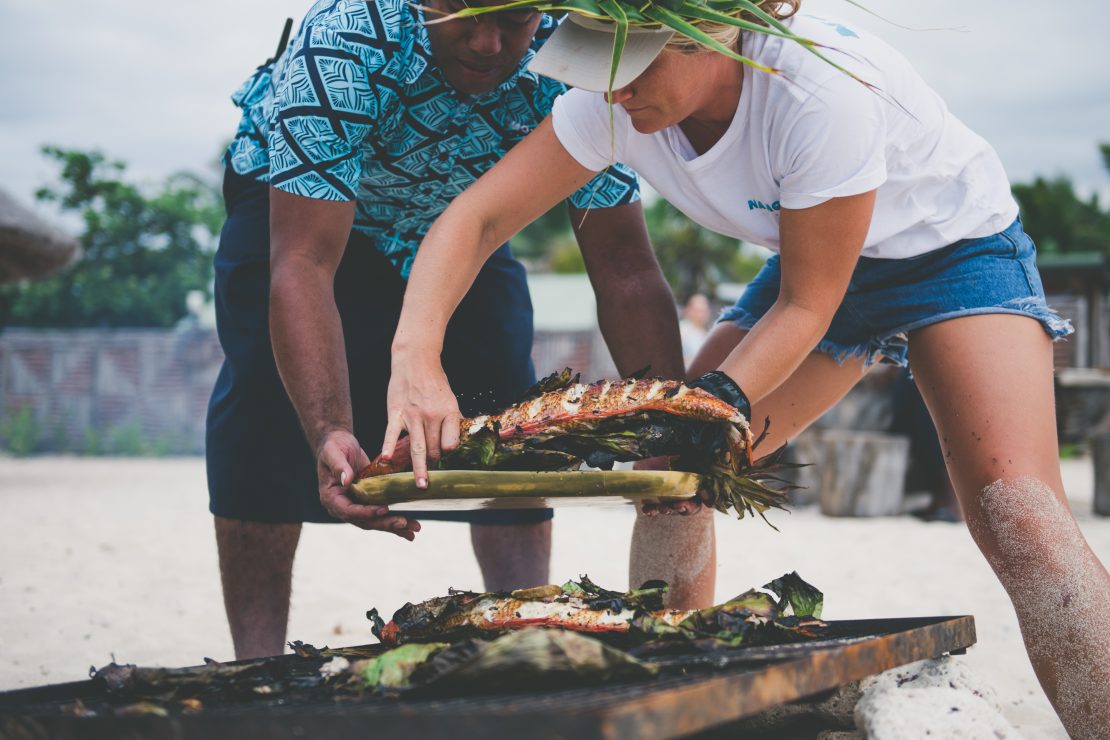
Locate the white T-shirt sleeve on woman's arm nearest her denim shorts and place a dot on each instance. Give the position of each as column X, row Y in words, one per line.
column 834, row 145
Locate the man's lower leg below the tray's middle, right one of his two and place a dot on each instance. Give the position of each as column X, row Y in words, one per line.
column 513, row 556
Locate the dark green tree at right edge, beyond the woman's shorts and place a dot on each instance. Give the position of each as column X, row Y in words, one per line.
column 1059, row 221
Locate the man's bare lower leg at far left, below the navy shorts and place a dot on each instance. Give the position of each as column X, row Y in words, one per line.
column 257, row 574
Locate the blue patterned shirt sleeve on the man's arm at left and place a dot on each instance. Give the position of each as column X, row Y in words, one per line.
column 328, row 102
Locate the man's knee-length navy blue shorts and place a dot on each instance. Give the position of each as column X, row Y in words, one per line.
column 260, row 468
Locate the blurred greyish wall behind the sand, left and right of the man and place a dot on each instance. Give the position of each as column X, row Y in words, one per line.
column 147, row 391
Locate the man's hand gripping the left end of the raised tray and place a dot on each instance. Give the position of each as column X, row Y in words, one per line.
column 339, row 458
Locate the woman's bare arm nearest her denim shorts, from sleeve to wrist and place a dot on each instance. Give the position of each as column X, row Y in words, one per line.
column 820, row 249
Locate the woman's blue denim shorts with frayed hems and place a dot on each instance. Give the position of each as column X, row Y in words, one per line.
column 889, row 299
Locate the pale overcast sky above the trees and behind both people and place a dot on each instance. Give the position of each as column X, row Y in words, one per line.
column 148, row 82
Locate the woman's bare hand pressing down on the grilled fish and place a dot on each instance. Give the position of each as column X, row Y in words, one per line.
column 420, row 401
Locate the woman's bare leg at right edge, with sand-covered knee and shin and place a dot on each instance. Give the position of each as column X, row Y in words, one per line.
column 988, row 384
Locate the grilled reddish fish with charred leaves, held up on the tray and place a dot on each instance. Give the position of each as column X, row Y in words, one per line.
column 562, row 424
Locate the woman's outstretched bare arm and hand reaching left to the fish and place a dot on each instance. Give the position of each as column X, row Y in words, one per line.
column 537, row 175
